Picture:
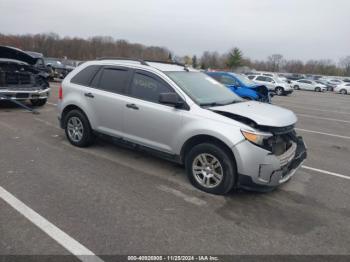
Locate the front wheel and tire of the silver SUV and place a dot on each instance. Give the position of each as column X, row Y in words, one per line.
column 202, row 158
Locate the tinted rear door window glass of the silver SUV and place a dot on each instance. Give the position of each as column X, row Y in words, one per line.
column 114, row 80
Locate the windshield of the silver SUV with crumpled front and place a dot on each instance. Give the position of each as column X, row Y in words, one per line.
column 203, row 89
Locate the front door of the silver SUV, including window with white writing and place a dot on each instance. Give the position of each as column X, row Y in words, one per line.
column 146, row 121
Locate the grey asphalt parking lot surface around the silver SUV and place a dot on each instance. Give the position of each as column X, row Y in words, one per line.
column 115, row 201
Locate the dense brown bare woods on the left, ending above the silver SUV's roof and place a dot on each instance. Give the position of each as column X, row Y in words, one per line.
column 52, row 45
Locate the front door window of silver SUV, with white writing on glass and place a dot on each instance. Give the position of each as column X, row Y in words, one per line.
column 148, row 88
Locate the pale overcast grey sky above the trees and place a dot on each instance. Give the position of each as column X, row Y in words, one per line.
column 297, row 29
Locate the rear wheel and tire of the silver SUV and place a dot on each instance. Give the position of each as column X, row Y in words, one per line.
column 78, row 129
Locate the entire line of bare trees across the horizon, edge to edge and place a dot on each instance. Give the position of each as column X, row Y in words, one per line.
column 52, row 45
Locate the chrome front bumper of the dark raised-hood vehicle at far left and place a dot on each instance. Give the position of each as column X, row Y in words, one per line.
column 24, row 94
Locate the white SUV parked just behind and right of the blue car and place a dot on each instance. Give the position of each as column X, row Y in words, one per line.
column 273, row 84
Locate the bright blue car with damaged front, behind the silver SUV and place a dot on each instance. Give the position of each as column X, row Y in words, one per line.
column 242, row 86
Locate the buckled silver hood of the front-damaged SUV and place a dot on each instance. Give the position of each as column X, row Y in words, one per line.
column 261, row 113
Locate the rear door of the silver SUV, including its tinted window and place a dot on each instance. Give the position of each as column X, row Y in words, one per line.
column 106, row 99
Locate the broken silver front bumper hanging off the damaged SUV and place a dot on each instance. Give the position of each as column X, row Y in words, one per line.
column 260, row 169
